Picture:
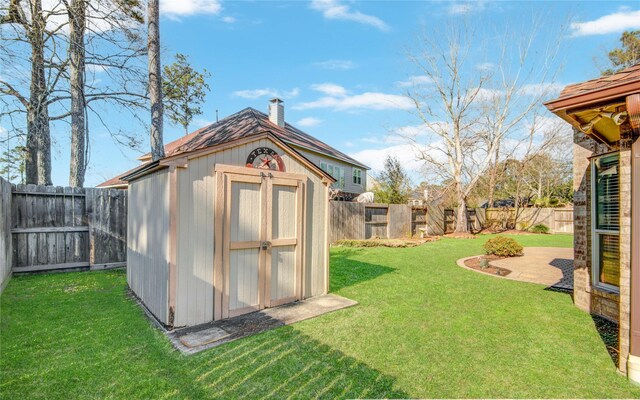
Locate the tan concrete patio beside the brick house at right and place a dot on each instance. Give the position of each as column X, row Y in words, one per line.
column 550, row 266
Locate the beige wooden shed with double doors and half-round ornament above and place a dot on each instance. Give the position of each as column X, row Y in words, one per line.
column 232, row 220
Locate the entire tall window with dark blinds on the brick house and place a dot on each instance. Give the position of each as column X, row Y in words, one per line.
column 605, row 221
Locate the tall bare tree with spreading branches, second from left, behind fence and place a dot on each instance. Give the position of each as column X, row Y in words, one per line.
column 114, row 45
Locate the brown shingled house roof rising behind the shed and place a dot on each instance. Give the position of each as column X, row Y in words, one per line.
column 246, row 123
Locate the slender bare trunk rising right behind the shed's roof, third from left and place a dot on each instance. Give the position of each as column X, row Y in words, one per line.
column 155, row 80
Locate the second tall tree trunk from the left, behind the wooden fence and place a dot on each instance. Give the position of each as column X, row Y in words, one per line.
column 77, row 162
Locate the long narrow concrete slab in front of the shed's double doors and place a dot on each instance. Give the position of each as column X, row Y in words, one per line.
column 201, row 337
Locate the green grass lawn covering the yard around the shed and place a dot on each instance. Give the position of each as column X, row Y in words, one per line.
column 424, row 328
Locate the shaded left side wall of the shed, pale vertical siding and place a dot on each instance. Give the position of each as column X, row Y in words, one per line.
column 147, row 238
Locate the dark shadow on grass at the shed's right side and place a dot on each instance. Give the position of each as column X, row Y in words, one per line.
column 345, row 271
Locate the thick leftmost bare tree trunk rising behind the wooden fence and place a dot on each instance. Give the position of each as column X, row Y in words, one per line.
column 38, row 157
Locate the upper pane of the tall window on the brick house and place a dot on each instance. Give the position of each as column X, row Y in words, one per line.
column 607, row 193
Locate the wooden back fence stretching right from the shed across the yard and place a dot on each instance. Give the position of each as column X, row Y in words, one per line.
column 363, row 221
